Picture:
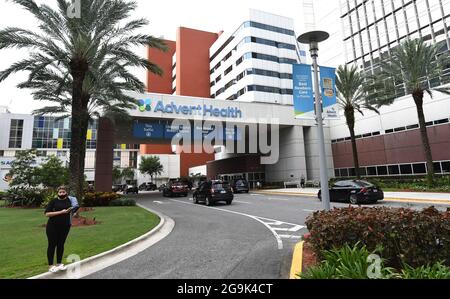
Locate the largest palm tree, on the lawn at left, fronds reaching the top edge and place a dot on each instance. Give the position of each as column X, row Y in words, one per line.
column 81, row 63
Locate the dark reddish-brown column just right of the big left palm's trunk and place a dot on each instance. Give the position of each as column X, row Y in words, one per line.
column 104, row 156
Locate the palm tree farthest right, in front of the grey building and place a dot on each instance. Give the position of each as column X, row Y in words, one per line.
column 412, row 65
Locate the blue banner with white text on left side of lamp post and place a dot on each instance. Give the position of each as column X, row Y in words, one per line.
column 303, row 89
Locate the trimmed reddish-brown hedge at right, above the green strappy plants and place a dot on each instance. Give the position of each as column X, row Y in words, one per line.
column 408, row 237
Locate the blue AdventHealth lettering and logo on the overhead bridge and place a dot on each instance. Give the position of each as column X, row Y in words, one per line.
column 205, row 110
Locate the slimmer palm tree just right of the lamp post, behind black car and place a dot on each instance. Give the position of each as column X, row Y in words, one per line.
column 352, row 98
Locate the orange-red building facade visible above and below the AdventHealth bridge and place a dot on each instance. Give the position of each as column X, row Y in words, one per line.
column 192, row 77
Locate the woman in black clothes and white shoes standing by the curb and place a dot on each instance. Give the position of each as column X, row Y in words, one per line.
column 58, row 226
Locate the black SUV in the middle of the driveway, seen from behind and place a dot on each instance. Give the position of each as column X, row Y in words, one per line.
column 211, row 192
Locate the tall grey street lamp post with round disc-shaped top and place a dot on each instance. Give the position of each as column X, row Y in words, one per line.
column 313, row 39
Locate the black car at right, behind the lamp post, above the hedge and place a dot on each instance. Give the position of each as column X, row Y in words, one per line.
column 355, row 192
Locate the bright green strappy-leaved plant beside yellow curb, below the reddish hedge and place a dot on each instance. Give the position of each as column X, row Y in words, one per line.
column 347, row 263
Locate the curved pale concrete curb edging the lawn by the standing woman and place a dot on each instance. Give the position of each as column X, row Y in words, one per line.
column 118, row 254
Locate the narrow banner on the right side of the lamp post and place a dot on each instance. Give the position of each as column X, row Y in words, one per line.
column 328, row 84
